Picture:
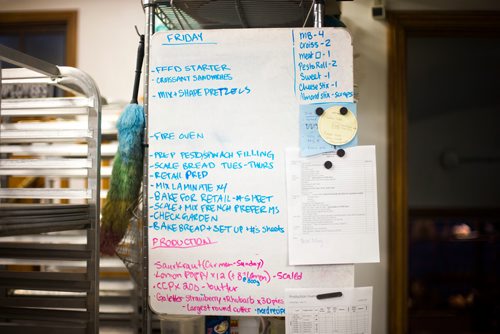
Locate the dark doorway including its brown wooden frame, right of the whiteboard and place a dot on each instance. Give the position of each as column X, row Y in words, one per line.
column 445, row 189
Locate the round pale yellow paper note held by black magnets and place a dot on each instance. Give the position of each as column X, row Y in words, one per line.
column 335, row 128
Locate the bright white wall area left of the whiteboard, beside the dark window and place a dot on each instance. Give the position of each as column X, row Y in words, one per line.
column 106, row 42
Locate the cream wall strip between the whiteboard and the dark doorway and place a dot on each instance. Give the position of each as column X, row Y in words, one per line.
column 370, row 75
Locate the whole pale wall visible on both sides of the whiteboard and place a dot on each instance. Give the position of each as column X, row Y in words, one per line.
column 107, row 45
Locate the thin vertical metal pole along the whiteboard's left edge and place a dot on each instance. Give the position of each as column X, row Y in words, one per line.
column 149, row 30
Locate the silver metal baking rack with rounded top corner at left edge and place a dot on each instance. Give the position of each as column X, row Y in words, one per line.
column 49, row 200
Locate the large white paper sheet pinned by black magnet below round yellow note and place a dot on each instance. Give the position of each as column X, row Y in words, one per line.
column 332, row 212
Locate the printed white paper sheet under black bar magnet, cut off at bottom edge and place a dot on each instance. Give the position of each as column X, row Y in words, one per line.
column 350, row 312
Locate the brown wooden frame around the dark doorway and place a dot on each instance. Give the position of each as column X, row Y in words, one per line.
column 404, row 24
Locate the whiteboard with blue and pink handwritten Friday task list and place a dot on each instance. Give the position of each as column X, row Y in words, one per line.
column 223, row 108
